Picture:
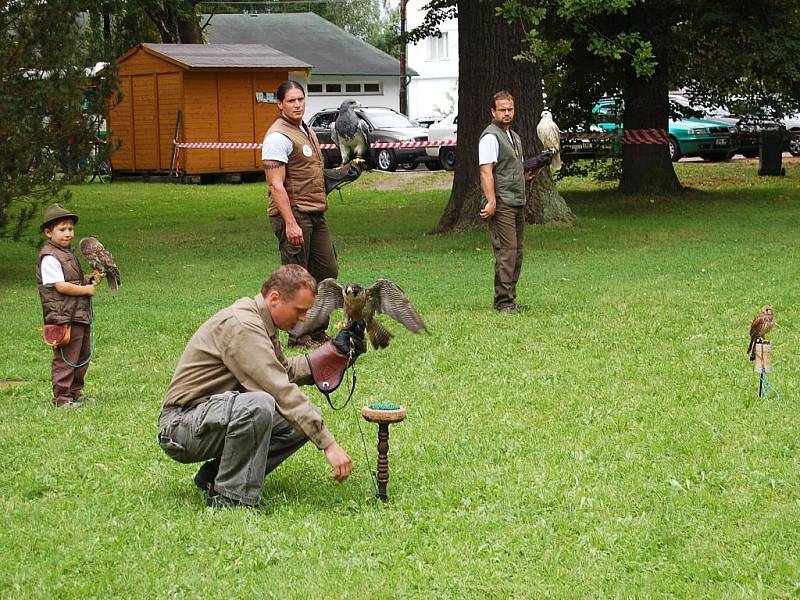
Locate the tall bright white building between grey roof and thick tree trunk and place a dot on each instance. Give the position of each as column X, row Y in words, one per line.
column 433, row 91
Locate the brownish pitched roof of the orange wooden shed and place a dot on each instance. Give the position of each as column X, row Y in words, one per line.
column 223, row 55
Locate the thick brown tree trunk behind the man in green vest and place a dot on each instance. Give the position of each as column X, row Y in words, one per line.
column 486, row 49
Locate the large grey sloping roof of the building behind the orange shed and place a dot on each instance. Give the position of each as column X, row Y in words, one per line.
column 330, row 49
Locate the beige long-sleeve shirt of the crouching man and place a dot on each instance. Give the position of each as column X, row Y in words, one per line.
column 239, row 349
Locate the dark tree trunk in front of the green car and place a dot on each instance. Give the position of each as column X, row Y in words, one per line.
column 647, row 168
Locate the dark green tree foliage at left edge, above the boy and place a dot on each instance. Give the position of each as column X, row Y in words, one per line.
column 50, row 107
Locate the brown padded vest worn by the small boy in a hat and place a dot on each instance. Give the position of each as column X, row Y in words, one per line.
column 57, row 308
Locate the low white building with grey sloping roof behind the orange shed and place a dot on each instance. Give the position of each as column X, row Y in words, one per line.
column 343, row 66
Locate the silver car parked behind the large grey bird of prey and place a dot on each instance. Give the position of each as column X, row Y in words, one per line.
column 386, row 125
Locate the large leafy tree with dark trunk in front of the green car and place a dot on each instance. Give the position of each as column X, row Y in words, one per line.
column 640, row 49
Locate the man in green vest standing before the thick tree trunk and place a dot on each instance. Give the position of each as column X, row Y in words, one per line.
column 503, row 185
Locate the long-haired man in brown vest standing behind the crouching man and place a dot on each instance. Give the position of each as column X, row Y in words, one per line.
column 297, row 196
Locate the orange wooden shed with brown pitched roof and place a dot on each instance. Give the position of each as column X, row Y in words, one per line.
column 223, row 93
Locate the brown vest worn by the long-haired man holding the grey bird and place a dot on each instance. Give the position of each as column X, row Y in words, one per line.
column 305, row 179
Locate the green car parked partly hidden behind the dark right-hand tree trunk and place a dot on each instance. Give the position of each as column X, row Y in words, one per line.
column 706, row 138
